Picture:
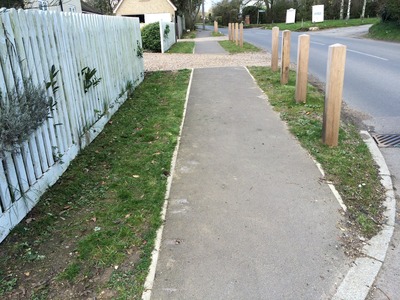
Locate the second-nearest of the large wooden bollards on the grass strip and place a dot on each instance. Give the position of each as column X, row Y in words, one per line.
column 302, row 68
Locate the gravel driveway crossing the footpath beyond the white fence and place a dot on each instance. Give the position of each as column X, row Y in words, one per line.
column 165, row 61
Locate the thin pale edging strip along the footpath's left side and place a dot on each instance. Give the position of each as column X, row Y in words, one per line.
column 148, row 285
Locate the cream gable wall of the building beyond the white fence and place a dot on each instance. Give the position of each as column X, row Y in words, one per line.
column 142, row 7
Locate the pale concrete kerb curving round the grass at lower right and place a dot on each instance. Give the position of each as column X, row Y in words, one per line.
column 362, row 274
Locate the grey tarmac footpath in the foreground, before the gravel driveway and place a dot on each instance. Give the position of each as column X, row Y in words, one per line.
column 248, row 217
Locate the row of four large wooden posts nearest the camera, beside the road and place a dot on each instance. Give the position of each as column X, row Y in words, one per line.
column 334, row 78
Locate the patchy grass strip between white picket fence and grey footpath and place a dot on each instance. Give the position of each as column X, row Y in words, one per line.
column 92, row 233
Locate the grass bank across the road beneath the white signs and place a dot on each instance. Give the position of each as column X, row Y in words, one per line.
column 327, row 24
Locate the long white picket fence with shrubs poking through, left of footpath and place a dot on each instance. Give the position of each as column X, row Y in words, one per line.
column 30, row 43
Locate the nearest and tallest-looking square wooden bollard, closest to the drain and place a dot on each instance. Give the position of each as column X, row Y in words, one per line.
column 333, row 94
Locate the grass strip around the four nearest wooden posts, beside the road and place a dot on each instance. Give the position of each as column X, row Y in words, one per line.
column 349, row 166
